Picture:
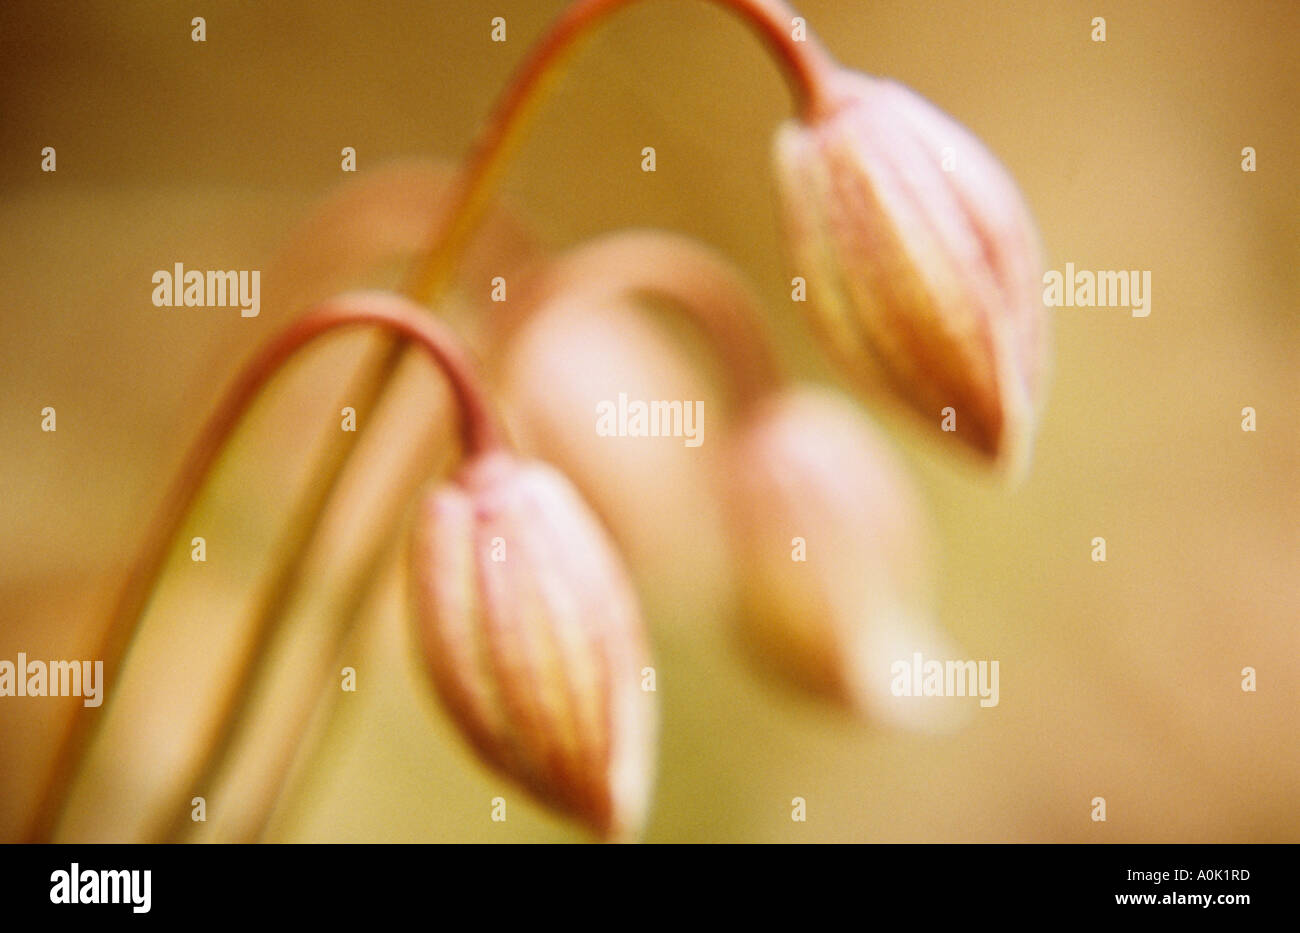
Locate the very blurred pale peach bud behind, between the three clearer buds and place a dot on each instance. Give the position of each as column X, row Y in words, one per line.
column 586, row 354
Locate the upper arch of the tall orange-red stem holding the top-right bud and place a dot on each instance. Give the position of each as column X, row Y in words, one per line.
column 805, row 66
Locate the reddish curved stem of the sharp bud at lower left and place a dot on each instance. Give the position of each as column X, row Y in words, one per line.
column 409, row 322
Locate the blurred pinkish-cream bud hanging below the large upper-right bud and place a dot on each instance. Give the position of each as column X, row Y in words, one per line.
column 834, row 556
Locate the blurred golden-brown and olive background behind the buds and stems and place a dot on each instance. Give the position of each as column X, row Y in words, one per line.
column 1119, row 680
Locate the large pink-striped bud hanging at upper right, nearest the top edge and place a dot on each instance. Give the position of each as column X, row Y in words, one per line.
column 922, row 262
